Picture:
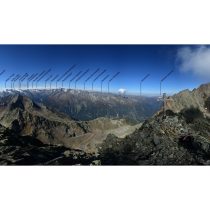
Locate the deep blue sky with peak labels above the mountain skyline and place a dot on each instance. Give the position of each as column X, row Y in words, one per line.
column 190, row 64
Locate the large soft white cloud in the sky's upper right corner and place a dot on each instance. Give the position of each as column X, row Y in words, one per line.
column 195, row 60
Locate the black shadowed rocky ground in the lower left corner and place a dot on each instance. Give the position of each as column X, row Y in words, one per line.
column 19, row 150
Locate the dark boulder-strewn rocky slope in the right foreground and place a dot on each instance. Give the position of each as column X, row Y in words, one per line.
column 174, row 139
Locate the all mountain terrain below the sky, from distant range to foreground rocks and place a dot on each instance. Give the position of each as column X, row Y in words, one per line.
column 33, row 133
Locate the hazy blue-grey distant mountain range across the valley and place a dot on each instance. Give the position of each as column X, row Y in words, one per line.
column 83, row 105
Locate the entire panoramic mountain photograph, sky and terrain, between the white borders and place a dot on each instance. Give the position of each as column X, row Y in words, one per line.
column 116, row 105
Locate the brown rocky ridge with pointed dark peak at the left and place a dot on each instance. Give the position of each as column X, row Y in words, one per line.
column 27, row 118
